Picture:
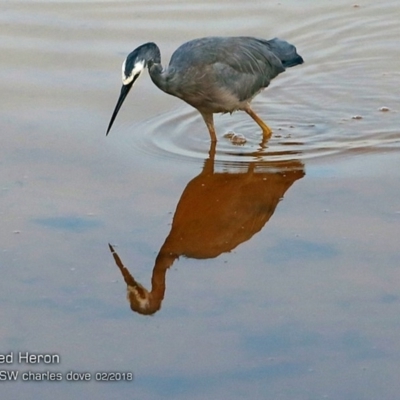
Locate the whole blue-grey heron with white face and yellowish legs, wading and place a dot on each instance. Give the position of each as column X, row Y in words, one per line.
column 213, row 74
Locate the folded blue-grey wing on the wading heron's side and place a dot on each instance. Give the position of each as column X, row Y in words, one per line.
column 241, row 66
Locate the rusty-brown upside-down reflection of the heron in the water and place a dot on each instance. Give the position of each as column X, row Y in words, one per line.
column 216, row 212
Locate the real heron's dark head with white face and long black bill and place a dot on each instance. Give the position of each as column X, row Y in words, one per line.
column 132, row 67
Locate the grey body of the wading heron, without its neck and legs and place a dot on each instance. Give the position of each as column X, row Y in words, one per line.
column 221, row 72
